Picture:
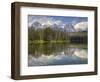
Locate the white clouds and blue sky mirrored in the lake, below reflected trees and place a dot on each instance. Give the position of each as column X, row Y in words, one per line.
column 71, row 56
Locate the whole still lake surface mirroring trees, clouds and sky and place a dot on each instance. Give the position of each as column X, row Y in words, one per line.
column 56, row 54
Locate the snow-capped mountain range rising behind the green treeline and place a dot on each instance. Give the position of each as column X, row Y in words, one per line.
column 65, row 27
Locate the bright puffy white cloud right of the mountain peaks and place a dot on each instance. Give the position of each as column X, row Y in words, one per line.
column 81, row 26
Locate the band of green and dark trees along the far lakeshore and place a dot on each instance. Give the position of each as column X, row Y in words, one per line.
column 46, row 35
